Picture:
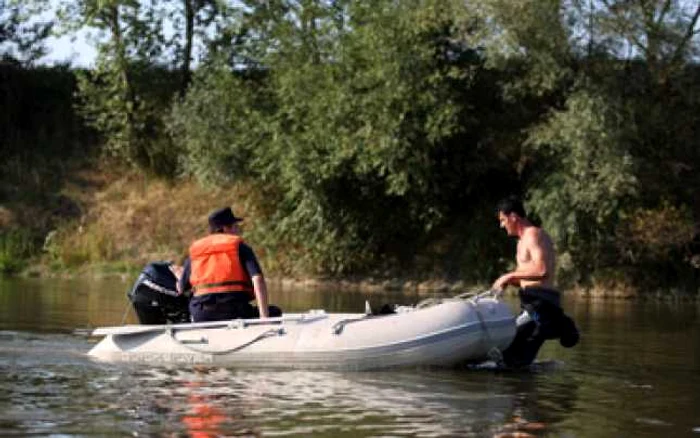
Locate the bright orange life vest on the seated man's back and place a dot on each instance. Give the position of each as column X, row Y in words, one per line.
column 216, row 266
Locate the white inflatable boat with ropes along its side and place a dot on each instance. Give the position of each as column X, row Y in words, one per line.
column 455, row 330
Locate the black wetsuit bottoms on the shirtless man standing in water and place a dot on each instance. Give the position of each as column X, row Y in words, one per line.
column 547, row 320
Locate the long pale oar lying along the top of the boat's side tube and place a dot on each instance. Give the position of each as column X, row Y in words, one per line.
column 233, row 323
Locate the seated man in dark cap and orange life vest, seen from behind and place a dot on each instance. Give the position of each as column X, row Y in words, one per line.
column 224, row 274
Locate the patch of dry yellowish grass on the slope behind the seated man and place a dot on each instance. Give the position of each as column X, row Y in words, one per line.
column 133, row 220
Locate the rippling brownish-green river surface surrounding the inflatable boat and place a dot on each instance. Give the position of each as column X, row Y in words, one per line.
column 636, row 373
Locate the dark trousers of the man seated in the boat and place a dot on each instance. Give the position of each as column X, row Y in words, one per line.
column 225, row 306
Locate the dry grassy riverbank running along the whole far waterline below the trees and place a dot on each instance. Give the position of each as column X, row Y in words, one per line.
column 117, row 222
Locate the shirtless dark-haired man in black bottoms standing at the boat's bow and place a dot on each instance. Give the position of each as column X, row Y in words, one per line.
column 542, row 316
